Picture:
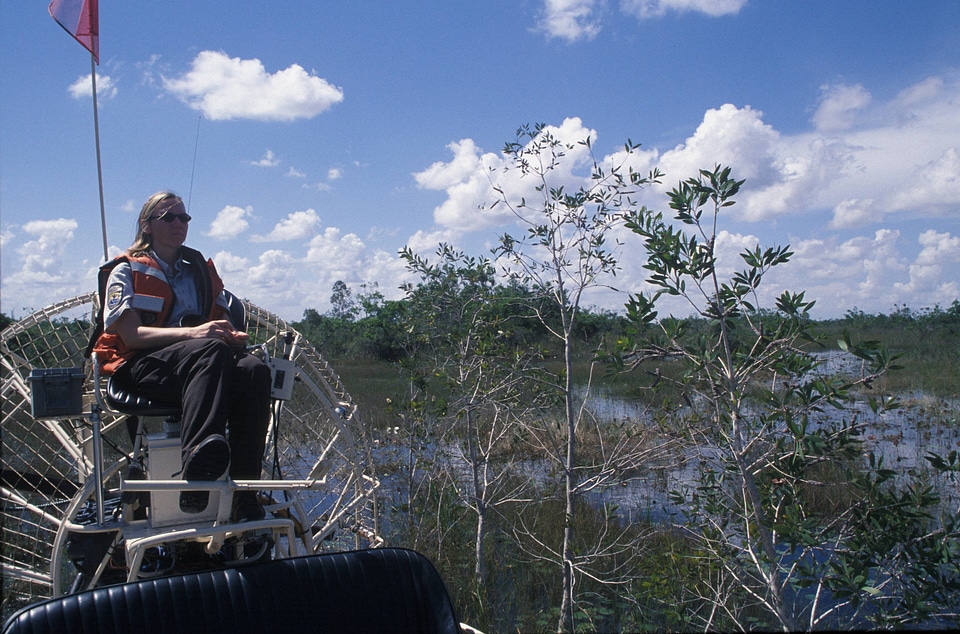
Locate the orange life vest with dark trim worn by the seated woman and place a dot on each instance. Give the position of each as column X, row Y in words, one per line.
column 149, row 279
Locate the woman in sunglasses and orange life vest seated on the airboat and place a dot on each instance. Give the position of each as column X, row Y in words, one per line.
column 165, row 330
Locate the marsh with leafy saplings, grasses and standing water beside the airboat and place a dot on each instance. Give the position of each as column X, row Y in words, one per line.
column 759, row 481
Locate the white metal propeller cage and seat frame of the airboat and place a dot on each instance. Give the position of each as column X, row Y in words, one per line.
column 335, row 494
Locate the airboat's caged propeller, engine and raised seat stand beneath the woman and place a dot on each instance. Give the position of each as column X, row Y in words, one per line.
column 87, row 500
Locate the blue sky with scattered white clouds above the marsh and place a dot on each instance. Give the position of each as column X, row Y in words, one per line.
column 313, row 140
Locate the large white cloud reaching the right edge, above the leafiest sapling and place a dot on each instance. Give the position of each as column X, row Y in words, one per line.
column 865, row 161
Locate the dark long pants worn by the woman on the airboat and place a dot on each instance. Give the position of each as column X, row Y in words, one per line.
column 214, row 384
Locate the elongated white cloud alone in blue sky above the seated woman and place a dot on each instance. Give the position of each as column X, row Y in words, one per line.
column 224, row 88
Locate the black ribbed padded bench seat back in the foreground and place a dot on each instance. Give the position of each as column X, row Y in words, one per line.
column 378, row 590
